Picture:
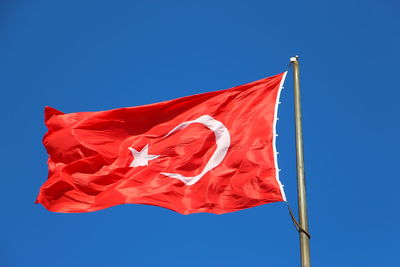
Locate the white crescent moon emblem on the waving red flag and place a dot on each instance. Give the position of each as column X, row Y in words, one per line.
column 222, row 139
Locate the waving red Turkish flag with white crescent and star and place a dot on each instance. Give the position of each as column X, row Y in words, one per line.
column 212, row 152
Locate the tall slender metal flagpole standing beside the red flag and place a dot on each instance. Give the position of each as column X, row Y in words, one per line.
column 301, row 183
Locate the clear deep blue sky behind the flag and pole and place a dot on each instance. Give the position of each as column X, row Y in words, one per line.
column 99, row 55
